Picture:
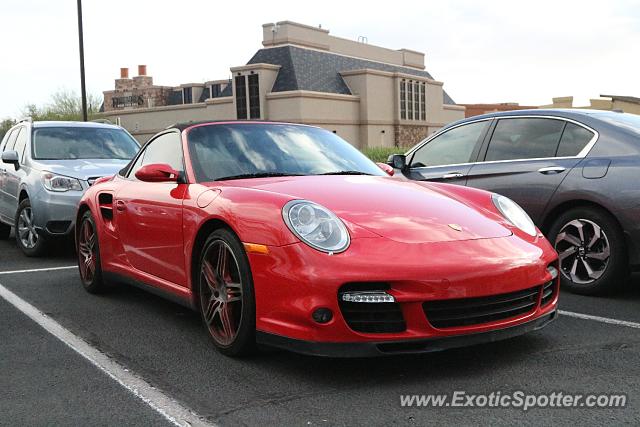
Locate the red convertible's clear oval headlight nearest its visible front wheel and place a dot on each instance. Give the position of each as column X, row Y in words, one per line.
column 316, row 226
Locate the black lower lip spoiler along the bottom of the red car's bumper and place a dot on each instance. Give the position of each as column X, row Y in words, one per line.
column 388, row 348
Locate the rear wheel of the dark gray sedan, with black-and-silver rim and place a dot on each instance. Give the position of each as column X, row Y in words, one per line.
column 578, row 254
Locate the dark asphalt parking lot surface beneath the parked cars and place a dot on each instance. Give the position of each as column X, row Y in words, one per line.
column 44, row 382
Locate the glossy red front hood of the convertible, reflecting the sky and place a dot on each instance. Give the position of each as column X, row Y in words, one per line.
column 404, row 211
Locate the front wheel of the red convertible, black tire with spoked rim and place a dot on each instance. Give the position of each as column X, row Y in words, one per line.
column 241, row 318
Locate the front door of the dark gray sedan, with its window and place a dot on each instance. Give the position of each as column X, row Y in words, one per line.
column 448, row 155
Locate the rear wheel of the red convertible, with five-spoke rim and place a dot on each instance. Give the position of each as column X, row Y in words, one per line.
column 88, row 249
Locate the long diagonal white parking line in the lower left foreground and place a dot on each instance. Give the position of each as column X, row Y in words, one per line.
column 166, row 406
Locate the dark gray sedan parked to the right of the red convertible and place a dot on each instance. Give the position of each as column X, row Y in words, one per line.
column 575, row 172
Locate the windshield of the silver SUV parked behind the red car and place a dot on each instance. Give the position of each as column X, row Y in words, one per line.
column 68, row 143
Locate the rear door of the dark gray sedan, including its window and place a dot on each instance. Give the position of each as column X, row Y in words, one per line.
column 526, row 159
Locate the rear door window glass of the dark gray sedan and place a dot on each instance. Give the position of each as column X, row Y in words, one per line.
column 525, row 138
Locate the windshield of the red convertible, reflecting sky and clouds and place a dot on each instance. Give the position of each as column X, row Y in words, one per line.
column 228, row 151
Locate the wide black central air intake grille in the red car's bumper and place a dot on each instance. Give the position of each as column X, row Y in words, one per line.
column 475, row 311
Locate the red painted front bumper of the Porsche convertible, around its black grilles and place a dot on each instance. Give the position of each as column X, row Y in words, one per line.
column 293, row 281
